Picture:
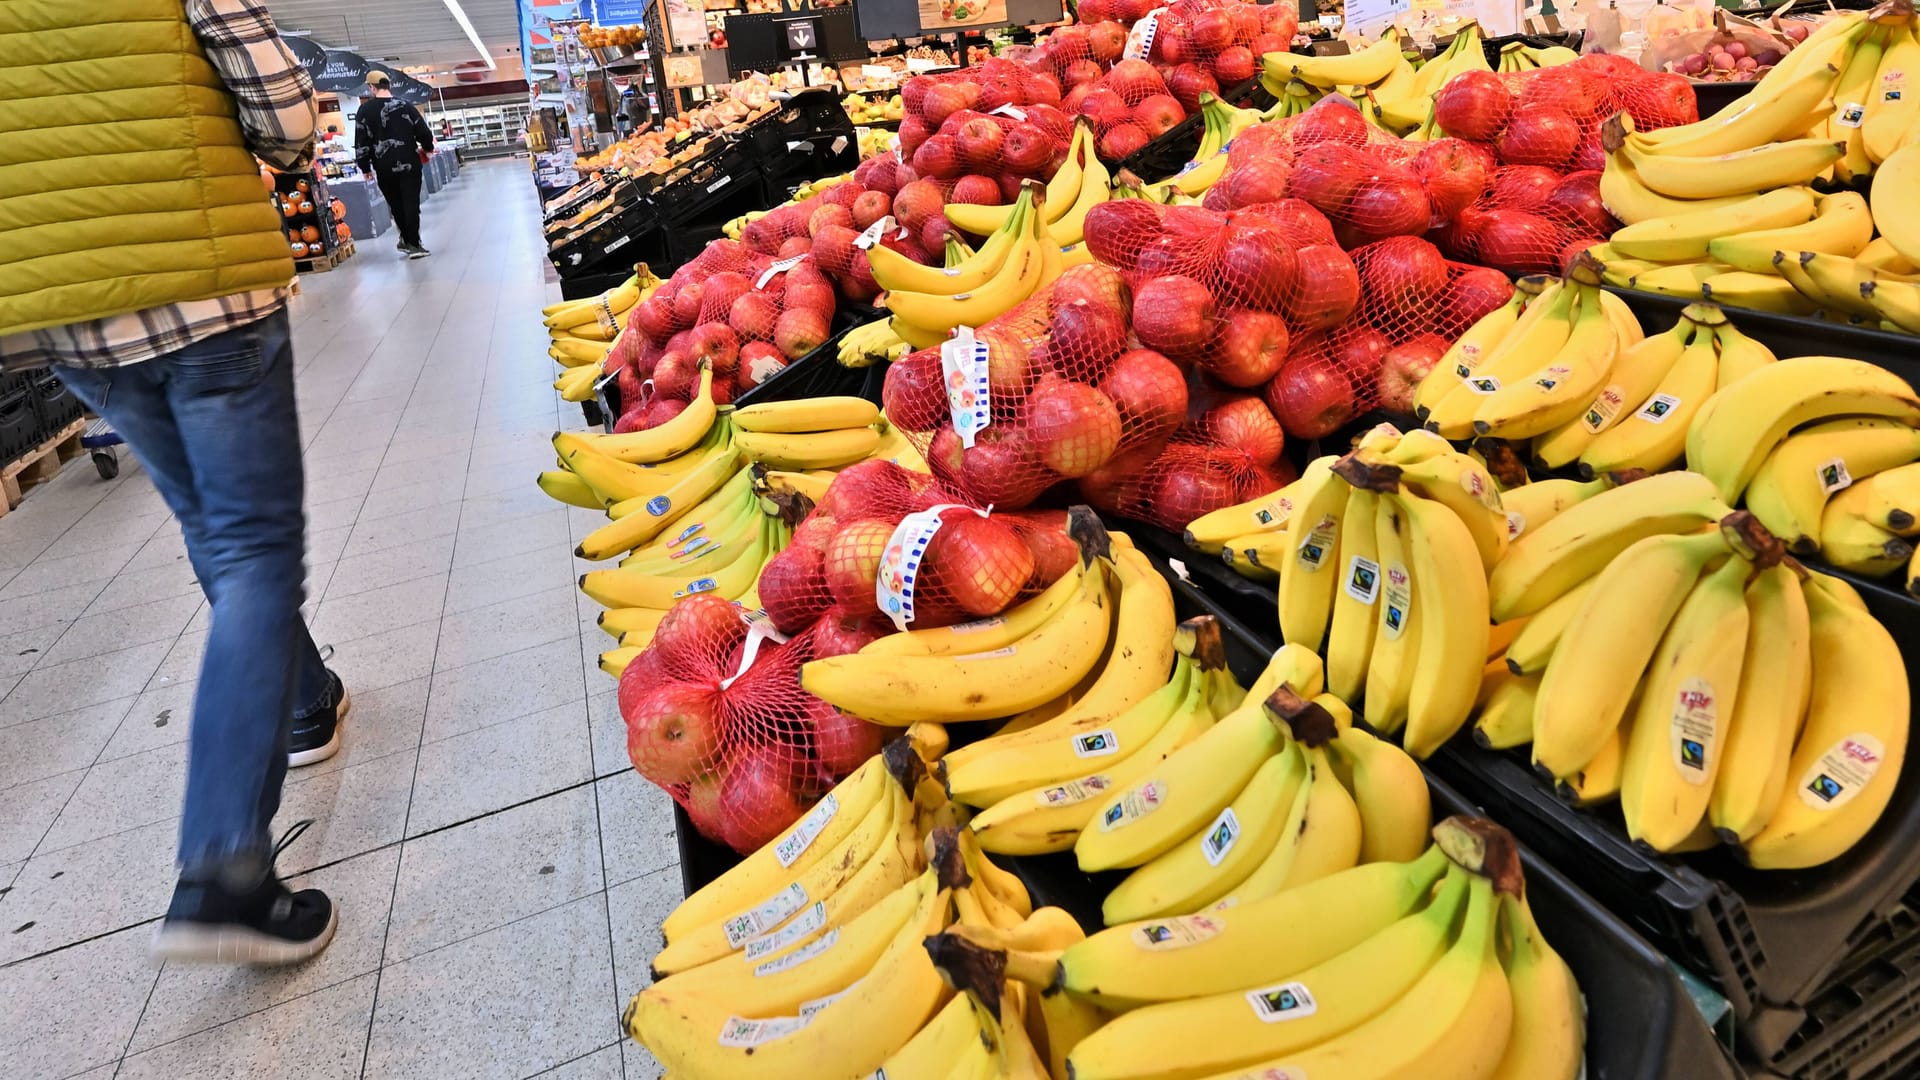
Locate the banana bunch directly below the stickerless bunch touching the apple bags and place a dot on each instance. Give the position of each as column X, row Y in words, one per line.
column 1040, row 785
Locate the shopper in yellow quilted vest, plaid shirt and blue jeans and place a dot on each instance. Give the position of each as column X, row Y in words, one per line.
column 141, row 257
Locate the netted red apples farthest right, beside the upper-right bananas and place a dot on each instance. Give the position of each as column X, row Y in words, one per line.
column 1552, row 116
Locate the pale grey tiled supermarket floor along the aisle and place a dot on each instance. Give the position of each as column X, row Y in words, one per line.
column 498, row 868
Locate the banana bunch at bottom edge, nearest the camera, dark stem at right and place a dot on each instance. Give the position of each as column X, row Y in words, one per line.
column 1431, row 964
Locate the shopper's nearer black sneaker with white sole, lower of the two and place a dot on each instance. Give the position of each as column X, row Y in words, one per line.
column 268, row 925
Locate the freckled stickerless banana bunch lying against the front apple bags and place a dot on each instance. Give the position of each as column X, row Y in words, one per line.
column 1109, row 626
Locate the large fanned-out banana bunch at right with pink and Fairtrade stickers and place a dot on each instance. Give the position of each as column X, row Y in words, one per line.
column 1671, row 658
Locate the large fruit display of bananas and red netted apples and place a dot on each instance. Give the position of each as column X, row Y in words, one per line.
column 1295, row 610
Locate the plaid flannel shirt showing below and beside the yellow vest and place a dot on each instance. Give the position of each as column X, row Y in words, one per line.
column 279, row 116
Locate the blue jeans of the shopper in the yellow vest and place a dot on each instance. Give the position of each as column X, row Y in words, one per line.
column 216, row 430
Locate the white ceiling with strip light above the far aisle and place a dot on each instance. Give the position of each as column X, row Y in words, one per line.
column 406, row 32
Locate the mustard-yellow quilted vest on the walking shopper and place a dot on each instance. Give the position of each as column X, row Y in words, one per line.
column 126, row 182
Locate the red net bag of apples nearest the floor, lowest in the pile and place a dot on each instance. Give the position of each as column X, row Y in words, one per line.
column 717, row 718
